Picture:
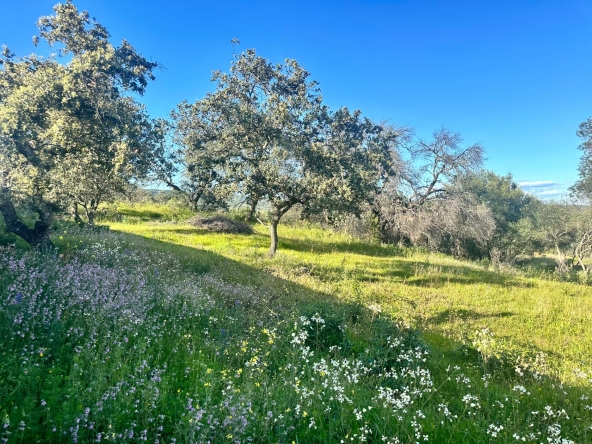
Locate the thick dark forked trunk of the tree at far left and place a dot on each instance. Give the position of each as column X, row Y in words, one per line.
column 38, row 236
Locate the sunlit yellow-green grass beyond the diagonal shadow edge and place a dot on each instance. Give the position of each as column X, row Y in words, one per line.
column 432, row 292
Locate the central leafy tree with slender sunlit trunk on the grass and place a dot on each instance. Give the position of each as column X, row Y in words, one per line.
column 266, row 131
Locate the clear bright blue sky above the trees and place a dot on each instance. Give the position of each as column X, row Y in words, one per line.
column 515, row 76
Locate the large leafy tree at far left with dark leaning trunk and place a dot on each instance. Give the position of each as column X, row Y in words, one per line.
column 71, row 133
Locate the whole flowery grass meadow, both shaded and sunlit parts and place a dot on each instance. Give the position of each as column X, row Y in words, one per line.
column 148, row 329
